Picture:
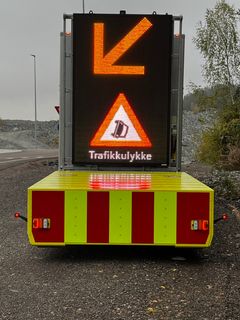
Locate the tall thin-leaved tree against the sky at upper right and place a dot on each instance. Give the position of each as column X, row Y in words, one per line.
column 219, row 42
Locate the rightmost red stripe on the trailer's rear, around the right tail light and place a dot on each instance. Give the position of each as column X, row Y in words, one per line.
column 191, row 206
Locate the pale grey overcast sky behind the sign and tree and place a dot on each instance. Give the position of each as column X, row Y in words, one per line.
column 33, row 27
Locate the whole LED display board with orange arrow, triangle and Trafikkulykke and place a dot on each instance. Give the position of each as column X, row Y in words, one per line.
column 121, row 89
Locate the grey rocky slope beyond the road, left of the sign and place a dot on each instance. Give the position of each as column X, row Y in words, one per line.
column 19, row 134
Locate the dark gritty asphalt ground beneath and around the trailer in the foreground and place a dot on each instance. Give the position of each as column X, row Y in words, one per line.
column 111, row 282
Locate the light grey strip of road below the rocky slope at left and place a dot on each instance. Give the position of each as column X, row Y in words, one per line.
column 10, row 158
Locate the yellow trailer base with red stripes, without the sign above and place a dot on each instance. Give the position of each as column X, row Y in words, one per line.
column 120, row 208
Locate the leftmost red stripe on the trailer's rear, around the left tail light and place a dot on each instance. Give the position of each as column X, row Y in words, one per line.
column 48, row 204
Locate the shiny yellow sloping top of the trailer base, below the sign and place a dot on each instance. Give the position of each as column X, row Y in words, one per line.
column 150, row 181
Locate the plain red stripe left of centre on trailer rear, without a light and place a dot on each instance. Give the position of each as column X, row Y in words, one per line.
column 98, row 217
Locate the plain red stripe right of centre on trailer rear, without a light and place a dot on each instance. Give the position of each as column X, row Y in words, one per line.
column 142, row 217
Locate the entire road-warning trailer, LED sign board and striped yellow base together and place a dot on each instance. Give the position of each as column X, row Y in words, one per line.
column 119, row 180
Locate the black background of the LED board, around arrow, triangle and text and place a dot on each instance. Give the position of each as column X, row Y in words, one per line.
column 149, row 95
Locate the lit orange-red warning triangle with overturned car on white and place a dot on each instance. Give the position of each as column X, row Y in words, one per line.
column 120, row 128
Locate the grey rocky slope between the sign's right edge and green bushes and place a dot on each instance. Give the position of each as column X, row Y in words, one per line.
column 194, row 124
